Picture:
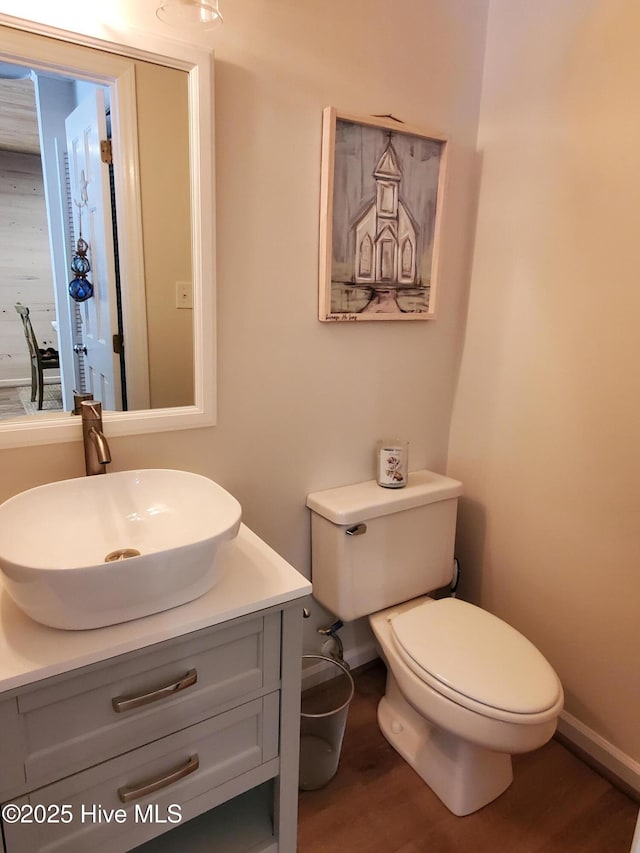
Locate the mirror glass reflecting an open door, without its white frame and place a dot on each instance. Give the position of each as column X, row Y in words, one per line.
column 60, row 254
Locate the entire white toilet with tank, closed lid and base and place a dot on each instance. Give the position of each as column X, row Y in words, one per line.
column 464, row 689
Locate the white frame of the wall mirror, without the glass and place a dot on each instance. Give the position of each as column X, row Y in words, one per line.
column 197, row 62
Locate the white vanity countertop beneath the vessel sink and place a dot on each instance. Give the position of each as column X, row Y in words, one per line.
column 255, row 577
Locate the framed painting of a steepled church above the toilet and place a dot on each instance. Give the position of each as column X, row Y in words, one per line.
column 381, row 208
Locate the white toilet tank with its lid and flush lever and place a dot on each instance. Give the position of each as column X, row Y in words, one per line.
column 373, row 547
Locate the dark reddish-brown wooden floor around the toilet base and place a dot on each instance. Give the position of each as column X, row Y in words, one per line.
column 377, row 804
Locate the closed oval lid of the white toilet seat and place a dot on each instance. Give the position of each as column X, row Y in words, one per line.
column 475, row 654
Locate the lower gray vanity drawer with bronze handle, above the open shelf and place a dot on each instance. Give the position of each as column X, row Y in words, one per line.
column 223, row 748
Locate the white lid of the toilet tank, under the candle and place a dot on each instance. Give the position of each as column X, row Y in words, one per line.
column 362, row 501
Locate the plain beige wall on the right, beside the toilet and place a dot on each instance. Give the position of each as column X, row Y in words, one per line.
column 546, row 426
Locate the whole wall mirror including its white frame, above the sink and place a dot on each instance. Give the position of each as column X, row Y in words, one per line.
column 107, row 187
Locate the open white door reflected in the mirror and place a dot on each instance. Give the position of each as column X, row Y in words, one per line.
column 92, row 215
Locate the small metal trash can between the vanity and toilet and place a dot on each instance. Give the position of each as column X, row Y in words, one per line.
column 323, row 717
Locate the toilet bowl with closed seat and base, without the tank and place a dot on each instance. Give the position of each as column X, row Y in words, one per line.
column 460, row 745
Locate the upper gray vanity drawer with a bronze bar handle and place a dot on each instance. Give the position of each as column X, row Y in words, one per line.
column 103, row 711
